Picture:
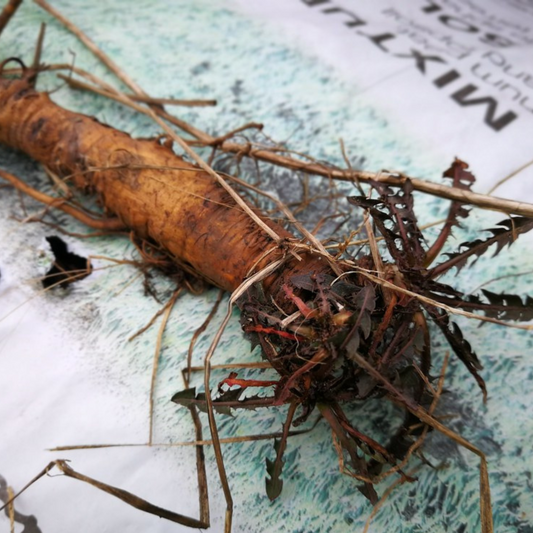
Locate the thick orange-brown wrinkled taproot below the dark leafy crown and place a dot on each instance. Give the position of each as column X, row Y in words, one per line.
column 183, row 210
